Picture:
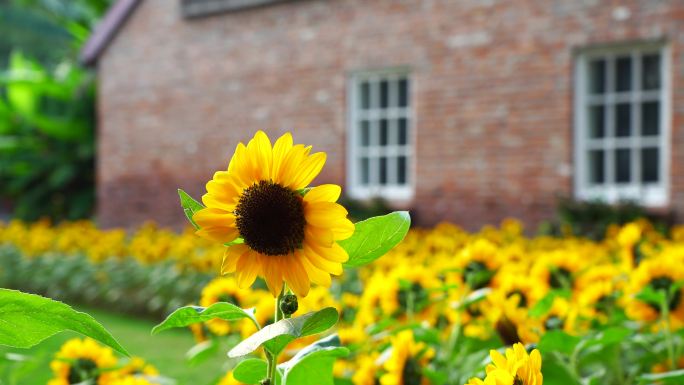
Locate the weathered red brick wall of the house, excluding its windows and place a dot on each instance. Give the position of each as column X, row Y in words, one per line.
column 491, row 83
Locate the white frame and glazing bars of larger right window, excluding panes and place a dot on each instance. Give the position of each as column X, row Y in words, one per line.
column 648, row 195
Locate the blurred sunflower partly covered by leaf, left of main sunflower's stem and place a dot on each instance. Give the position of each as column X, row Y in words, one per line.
column 223, row 289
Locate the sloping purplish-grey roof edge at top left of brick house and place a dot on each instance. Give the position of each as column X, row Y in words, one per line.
column 106, row 30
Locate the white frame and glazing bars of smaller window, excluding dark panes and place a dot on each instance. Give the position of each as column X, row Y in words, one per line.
column 390, row 191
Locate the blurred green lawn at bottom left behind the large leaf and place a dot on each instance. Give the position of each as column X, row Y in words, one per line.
column 166, row 351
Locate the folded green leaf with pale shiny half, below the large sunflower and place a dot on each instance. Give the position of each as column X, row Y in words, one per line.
column 277, row 336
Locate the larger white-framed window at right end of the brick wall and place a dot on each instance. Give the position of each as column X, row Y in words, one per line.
column 622, row 125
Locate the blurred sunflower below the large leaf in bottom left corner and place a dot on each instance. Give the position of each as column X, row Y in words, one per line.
column 81, row 360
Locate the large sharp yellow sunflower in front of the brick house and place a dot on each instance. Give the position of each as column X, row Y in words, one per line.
column 287, row 238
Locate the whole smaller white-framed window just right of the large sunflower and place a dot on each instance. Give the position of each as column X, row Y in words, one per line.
column 380, row 139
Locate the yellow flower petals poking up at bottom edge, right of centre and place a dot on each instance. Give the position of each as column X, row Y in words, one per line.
column 516, row 368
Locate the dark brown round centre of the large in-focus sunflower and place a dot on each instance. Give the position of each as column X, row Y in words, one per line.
column 270, row 218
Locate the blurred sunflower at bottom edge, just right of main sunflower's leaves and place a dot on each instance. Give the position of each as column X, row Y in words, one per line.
column 405, row 365
